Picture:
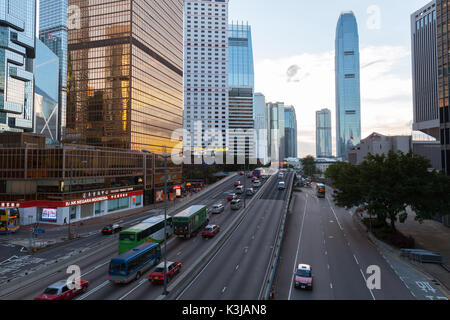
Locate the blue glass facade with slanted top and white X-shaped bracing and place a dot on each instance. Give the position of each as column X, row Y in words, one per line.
column 46, row 96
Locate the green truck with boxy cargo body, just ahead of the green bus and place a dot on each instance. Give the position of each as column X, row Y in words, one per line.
column 189, row 222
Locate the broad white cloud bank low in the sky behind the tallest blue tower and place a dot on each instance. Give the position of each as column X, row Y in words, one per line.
column 386, row 90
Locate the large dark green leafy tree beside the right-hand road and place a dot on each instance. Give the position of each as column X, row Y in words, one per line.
column 388, row 185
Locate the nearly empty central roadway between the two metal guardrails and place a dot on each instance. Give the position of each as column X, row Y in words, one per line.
column 238, row 269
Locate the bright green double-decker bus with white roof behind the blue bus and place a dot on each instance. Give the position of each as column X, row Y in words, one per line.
column 150, row 230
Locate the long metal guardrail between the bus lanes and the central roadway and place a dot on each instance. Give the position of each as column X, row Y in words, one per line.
column 179, row 285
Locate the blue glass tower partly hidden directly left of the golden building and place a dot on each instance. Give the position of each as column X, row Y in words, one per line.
column 53, row 29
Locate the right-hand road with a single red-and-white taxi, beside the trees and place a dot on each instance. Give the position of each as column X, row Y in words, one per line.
column 326, row 237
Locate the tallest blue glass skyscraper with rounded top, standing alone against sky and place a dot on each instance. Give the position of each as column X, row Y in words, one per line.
column 348, row 96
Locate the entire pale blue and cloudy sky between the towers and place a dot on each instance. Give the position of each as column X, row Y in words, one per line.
column 300, row 35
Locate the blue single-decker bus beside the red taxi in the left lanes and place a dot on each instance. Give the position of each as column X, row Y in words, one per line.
column 134, row 263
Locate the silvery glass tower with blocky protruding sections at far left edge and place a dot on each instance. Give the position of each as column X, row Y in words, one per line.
column 17, row 51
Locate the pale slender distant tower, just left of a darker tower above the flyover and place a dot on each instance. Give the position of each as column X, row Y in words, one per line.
column 277, row 132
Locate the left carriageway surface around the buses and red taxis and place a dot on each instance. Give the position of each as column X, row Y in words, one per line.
column 95, row 268
